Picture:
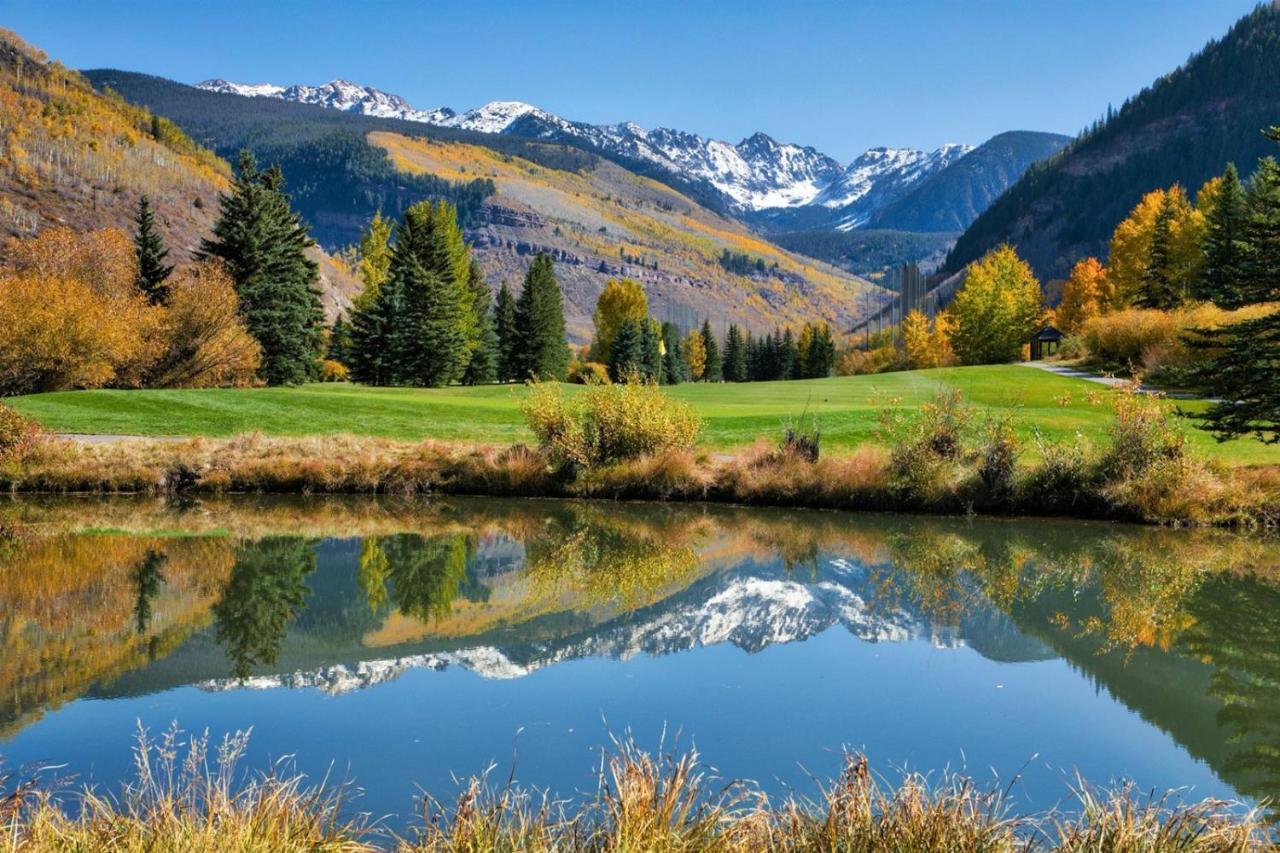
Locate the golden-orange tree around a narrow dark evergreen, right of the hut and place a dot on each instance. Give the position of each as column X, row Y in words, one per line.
column 1135, row 252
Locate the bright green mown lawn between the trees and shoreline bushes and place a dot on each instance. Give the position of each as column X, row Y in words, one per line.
column 735, row 414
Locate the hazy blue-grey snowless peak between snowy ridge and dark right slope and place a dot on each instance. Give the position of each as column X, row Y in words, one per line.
column 954, row 197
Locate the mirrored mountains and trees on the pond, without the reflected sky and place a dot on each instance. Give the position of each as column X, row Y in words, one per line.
column 126, row 599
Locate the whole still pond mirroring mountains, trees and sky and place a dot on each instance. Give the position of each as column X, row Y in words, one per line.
column 408, row 645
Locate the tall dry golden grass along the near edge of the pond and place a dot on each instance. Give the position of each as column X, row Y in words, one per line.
column 189, row 795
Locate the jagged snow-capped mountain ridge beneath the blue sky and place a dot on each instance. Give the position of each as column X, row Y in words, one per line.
column 757, row 175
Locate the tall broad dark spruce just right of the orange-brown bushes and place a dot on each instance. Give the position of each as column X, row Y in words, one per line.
column 264, row 245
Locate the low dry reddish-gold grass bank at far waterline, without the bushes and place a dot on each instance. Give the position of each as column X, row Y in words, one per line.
column 762, row 476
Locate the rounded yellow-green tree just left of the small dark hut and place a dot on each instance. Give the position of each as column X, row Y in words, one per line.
column 996, row 311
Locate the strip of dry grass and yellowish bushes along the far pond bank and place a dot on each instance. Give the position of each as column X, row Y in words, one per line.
column 629, row 441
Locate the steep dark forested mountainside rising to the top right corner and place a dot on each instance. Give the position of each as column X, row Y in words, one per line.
column 1185, row 129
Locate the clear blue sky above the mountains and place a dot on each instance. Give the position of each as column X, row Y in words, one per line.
column 839, row 76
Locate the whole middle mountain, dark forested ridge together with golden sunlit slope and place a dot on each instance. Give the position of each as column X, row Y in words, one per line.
column 516, row 197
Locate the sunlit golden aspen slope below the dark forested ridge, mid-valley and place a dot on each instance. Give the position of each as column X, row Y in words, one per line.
column 604, row 221
